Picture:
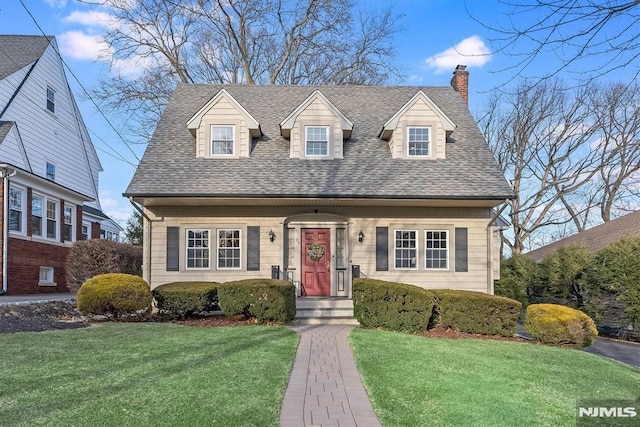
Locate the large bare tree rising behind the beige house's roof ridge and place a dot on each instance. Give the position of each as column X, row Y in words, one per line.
column 239, row 41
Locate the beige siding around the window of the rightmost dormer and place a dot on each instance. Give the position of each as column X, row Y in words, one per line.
column 419, row 114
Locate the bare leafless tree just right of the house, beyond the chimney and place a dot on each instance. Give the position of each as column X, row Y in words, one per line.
column 539, row 136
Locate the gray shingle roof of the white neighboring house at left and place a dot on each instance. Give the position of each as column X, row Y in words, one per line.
column 17, row 52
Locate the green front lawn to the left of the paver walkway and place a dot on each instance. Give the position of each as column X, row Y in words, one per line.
column 136, row 374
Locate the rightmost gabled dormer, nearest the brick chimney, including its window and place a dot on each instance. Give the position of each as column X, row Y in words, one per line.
column 418, row 130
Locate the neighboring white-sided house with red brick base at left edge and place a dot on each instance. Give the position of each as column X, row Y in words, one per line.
column 51, row 199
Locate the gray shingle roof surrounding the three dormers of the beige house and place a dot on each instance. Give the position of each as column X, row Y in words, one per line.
column 169, row 166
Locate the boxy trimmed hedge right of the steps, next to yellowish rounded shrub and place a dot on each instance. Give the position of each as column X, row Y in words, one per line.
column 475, row 312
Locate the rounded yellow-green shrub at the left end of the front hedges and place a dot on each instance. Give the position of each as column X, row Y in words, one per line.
column 114, row 295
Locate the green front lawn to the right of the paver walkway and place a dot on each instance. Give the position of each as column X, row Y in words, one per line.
column 417, row 381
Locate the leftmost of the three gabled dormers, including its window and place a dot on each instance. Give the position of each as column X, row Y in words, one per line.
column 223, row 128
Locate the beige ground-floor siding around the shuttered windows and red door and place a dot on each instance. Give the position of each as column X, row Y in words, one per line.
column 352, row 219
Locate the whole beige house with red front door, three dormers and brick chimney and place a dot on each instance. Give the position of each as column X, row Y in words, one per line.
column 318, row 184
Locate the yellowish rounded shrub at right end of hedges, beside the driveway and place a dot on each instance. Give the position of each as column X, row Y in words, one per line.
column 558, row 324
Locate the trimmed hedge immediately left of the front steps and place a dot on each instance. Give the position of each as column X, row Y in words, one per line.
column 266, row 300
